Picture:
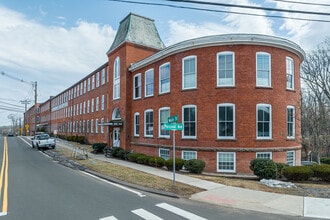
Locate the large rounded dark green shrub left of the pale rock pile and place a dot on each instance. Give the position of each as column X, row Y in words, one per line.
column 263, row 168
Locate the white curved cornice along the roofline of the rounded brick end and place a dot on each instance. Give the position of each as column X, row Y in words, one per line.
column 221, row 40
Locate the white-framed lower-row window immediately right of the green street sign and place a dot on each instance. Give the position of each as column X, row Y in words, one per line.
column 189, row 121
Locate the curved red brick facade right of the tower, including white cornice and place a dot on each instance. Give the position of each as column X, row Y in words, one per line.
column 207, row 96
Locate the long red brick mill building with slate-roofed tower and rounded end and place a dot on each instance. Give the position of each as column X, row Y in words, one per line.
column 237, row 96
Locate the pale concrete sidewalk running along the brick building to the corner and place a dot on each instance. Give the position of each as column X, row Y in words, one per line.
column 235, row 197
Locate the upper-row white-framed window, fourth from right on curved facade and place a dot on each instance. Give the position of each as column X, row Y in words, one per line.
column 189, row 72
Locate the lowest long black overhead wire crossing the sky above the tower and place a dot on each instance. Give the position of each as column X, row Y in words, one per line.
column 222, row 11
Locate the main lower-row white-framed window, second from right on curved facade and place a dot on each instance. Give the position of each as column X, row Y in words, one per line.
column 264, row 121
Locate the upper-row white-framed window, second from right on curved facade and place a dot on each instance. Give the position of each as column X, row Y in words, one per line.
column 263, row 66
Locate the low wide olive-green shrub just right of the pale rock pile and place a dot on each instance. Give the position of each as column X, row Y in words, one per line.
column 299, row 173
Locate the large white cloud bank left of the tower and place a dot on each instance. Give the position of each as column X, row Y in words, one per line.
column 53, row 56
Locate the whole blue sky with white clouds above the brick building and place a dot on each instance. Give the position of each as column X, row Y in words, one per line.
column 58, row 42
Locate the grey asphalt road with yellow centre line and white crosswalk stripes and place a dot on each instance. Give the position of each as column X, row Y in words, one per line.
column 37, row 188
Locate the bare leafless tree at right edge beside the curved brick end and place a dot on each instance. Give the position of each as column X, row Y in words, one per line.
column 316, row 100
